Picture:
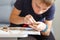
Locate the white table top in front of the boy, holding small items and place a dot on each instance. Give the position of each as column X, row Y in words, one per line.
column 18, row 33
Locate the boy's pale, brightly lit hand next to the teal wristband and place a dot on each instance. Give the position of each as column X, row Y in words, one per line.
column 39, row 26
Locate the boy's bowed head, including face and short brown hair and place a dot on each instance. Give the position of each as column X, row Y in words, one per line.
column 44, row 5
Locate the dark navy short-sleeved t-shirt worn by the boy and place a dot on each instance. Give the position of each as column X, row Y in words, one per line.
column 26, row 7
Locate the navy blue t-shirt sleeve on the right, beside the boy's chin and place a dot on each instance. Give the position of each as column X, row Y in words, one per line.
column 50, row 13
